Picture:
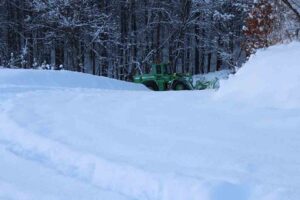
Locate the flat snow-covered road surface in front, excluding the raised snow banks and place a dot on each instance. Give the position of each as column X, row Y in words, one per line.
column 146, row 145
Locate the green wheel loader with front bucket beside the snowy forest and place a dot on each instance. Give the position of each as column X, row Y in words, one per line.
column 160, row 78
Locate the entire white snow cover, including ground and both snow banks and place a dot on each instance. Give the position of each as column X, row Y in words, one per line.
column 65, row 136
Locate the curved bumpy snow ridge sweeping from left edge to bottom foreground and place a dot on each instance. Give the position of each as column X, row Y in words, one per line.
column 123, row 179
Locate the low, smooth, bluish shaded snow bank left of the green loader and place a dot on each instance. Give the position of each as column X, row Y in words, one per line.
column 62, row 79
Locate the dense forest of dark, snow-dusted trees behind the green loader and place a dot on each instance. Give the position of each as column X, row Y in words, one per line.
column 119, row 38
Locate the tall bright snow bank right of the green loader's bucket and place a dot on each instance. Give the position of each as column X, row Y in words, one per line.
column 270, row 78
